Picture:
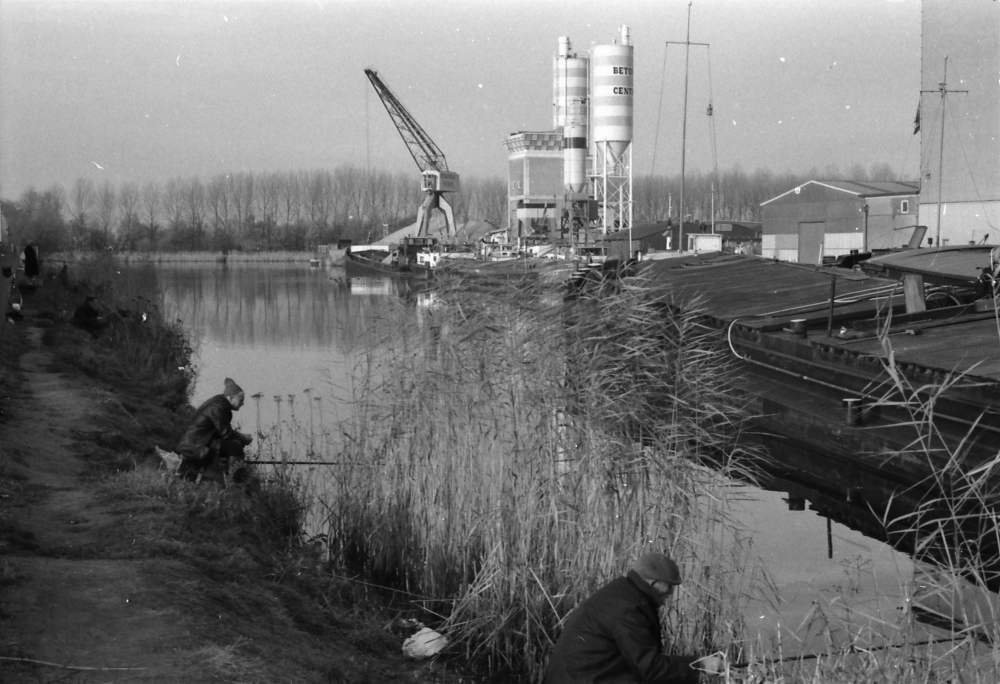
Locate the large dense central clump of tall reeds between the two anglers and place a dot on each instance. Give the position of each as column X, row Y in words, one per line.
column 509, row 453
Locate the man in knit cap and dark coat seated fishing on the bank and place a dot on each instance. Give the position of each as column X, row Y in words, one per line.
column 210, row 447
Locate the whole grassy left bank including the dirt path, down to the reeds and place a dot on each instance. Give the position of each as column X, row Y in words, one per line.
column 111, row 568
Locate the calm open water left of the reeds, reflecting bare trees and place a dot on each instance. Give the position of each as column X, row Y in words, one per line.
column 281, row 330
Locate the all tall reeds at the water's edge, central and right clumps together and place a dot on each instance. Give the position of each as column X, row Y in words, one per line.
column 509, row 451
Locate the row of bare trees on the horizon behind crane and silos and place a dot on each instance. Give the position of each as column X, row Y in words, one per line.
column 299, row 209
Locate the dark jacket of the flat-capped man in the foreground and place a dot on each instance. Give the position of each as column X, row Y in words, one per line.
column 614, row 637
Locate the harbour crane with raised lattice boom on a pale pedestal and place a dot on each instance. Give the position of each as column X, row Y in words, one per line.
column 436, row 179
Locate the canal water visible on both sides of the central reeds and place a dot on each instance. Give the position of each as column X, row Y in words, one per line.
column 291, row 333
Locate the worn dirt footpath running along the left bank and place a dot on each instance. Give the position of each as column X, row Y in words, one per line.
column 64, row 604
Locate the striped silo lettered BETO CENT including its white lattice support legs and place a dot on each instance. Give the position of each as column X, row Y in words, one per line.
column 612, row 94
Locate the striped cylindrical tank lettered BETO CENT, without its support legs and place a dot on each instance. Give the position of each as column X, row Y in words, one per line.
column 612, row 96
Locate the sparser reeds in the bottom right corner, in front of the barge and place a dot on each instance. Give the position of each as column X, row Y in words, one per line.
column 949, row 525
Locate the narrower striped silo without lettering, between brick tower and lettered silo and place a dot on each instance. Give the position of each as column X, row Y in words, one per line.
column 569, row 112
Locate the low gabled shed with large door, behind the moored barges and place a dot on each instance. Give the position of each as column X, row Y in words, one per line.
column 833, row 218
